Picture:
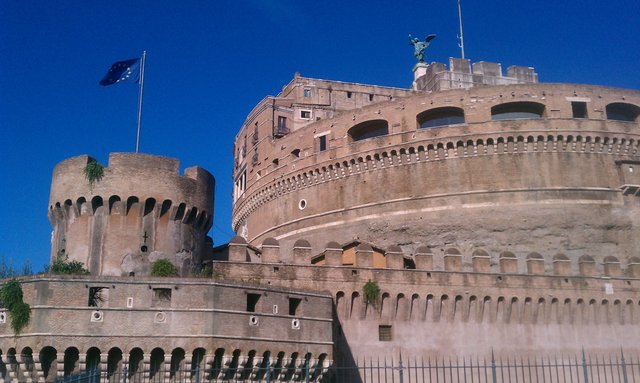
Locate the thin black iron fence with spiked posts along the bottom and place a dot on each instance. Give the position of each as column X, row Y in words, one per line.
column 584, row 368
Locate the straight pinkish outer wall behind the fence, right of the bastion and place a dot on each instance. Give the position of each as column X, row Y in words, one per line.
column 468, row 304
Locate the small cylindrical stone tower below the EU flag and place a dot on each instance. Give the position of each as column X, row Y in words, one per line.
column 141, row 210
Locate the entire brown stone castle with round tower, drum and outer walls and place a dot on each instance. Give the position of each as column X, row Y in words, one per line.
column 493, row 212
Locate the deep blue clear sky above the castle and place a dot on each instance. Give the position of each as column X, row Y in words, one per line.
column 210, row 62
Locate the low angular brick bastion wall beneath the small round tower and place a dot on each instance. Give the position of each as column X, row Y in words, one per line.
column 201, row 320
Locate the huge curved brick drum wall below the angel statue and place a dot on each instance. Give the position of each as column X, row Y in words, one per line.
column 552, row 184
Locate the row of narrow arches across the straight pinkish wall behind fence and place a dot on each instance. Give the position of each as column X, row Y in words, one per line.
column 529, row 310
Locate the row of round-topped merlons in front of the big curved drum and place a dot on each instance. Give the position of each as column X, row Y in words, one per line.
column 359, row 254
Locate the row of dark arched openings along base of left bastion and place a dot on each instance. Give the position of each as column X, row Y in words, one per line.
column 181, row 367
